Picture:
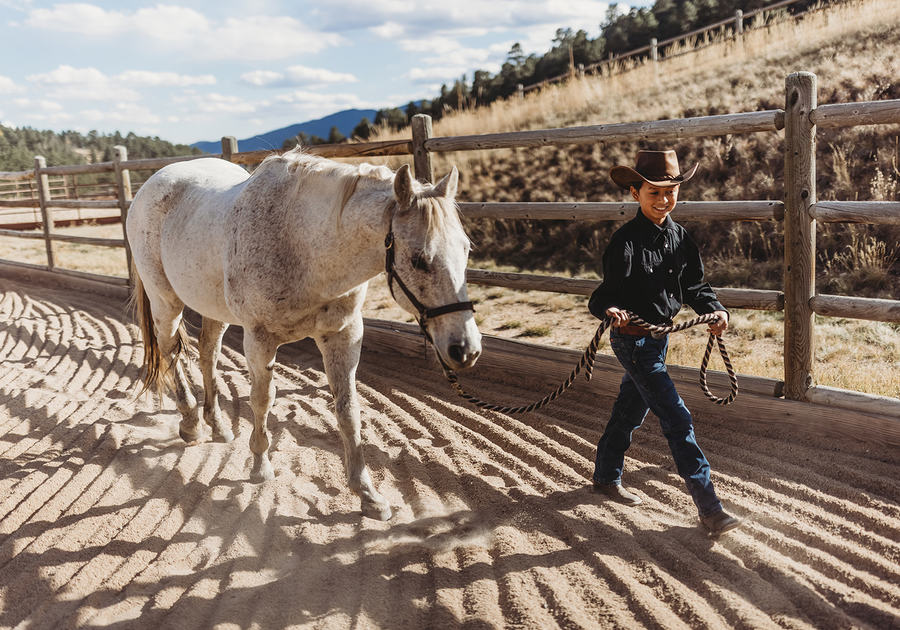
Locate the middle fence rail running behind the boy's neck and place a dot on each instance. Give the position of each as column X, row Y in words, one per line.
column 617, row 211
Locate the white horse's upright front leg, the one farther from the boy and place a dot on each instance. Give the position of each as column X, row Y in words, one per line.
column 259, row 350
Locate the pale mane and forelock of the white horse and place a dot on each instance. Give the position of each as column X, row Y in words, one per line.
column 439, row 216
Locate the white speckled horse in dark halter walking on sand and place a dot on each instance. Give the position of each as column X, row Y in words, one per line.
column 287, row 253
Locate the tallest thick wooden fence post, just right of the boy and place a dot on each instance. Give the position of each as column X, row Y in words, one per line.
column 799, row 232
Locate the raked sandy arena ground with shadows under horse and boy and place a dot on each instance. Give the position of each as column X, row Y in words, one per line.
column 107, row 519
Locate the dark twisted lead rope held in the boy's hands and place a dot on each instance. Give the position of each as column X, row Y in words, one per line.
column 587, row 364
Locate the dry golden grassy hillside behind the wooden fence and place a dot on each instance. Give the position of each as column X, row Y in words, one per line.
column 852, row 49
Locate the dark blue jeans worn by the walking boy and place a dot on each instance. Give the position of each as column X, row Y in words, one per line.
column 645, row 387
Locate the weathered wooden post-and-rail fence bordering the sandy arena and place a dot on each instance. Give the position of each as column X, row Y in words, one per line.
column 799, row 211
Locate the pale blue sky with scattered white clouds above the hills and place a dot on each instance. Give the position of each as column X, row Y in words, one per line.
column 190, row 71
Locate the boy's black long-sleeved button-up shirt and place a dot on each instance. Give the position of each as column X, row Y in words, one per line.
column 651, row 271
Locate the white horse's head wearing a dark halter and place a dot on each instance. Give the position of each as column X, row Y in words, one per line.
column 428, row 256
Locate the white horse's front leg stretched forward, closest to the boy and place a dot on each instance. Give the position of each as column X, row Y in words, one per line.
column 340, row 353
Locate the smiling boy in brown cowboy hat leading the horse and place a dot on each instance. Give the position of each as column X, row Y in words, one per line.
column 651, row 267
